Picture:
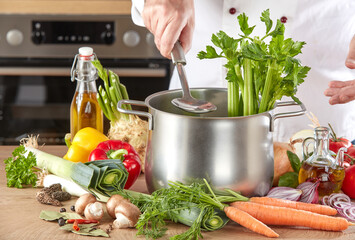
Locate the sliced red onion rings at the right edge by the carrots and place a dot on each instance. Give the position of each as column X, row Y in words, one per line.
column 342, row 203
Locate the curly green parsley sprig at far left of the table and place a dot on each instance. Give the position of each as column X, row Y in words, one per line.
column 20, row 170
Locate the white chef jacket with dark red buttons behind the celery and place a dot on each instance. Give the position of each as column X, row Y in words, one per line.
column 326, row 26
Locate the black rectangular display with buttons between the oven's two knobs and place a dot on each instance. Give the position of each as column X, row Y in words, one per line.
column 67, row 32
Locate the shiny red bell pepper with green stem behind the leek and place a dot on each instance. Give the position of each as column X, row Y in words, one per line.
column 116, row 149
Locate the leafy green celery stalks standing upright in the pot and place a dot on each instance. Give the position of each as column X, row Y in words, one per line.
column 259, row 73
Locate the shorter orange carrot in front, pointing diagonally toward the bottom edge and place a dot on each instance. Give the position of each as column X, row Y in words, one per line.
column 249, row 222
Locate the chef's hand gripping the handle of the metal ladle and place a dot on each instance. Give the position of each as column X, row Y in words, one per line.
column 169, row 21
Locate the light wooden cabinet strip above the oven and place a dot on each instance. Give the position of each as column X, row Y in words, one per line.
column 65, row 7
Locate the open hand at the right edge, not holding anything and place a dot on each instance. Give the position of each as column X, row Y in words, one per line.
column 343, row 91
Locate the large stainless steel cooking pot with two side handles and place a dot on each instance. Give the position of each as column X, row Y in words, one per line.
column 231, row 152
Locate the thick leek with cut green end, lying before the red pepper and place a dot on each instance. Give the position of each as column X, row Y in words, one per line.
column 105, row 177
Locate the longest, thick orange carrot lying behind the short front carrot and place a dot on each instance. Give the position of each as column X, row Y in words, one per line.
column 292, row 217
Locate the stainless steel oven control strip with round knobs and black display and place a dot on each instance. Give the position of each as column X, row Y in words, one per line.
column 60, row 36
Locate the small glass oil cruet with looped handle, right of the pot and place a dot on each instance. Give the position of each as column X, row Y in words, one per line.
column 320, row 165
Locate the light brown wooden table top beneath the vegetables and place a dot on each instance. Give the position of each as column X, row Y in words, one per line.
column 19, row 216
